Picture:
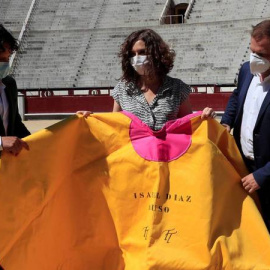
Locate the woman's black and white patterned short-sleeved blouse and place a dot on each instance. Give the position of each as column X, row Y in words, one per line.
column 164, row 107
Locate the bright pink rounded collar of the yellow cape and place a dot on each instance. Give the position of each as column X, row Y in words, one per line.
column 166, row 144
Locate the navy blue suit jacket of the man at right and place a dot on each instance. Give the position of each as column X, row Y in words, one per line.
column 261, row 133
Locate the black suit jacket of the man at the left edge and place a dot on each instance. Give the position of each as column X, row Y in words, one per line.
column 15, row 125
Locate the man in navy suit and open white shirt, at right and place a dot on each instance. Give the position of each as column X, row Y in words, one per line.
column 248, row 112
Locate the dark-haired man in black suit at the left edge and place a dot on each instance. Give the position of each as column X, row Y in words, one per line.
column 11, row 126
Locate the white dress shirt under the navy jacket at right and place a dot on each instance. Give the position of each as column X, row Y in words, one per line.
column 254, row 99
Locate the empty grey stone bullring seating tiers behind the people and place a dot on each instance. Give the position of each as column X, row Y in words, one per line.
column 70, row 43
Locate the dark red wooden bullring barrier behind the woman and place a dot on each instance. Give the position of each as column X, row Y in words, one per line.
column 40, row 101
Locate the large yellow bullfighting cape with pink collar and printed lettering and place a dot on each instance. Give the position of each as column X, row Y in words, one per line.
column 108, row 193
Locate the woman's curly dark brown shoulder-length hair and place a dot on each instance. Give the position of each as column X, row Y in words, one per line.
column 160, row 56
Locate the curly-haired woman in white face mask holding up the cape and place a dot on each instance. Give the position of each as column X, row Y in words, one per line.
column 145, row 89
